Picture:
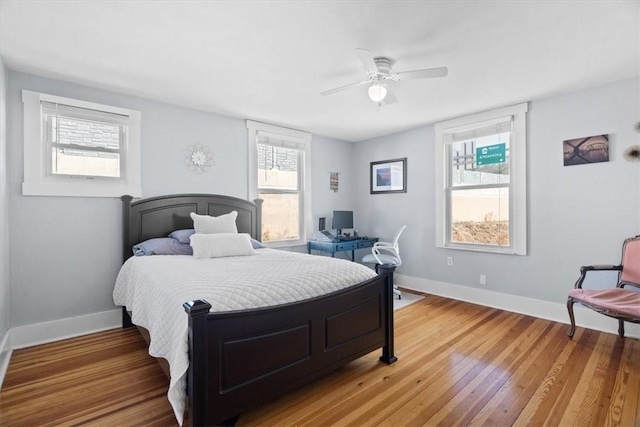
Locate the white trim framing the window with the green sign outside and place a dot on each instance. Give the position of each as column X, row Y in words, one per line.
column 517, row 174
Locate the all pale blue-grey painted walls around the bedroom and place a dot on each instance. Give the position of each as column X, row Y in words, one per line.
column 65, row 252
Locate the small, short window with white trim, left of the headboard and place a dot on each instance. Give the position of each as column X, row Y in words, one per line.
column 77, row 148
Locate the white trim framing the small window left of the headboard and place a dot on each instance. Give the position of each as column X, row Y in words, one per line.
column 37, row 183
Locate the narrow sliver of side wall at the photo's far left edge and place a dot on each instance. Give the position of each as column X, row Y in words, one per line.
column 5, row 272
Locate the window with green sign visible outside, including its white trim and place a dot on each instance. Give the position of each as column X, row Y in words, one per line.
column 481, row 181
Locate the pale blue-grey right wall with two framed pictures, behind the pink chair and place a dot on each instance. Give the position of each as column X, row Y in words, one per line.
column 576, row 215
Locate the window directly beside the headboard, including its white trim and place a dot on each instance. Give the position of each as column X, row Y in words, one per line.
column 279, row 171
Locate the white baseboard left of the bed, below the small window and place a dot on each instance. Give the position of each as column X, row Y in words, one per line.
column 56, row 330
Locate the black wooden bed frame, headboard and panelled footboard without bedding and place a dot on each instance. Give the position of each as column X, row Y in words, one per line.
column 239, row 359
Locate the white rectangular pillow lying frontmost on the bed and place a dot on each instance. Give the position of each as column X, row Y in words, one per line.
column 219, row 245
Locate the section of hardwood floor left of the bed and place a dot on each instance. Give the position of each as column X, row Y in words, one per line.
column 101, row 379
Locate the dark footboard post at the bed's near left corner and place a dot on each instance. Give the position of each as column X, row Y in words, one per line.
column 197, row 375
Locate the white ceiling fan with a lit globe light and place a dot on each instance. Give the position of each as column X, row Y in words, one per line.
column 379, row 74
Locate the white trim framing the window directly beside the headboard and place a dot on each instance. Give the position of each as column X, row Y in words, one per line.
column 302, row 139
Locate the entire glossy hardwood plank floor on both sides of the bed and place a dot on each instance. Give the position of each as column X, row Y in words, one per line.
column 459, row 364
